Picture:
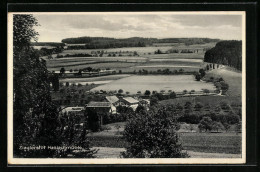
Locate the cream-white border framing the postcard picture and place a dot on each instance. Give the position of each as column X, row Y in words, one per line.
column 32, row 161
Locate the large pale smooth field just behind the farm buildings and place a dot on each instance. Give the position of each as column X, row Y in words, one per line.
column 176, row 83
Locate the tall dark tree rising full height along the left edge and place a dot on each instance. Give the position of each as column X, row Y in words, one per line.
column 35, row 116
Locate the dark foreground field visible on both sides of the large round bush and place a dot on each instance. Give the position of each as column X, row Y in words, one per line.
column 228, row 143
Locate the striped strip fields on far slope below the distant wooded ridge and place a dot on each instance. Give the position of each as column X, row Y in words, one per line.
column 146, row 59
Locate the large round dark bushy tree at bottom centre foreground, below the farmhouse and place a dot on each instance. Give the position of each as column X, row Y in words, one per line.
column 152, row 135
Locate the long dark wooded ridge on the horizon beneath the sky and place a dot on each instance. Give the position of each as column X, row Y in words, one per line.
column 105, row 42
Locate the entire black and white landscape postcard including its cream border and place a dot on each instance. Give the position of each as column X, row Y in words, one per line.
column 126, row 87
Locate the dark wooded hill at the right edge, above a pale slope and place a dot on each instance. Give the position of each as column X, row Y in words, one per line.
column 226, row 53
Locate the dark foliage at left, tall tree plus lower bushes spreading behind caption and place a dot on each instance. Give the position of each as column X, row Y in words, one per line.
column 36, row 117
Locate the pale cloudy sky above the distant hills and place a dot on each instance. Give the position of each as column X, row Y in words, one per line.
column 55, row 27
